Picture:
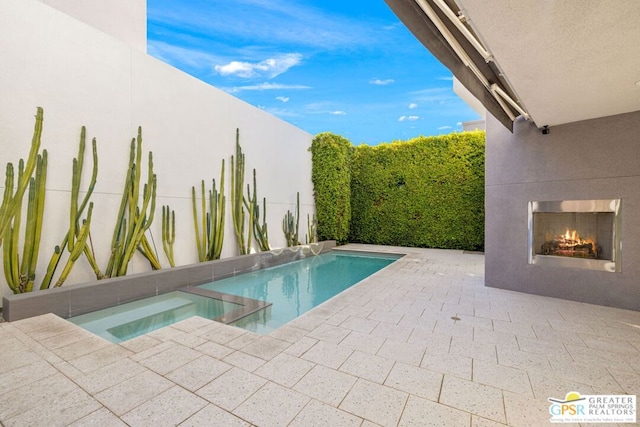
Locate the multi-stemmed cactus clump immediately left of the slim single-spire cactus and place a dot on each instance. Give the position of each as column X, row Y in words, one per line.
column 209, row 228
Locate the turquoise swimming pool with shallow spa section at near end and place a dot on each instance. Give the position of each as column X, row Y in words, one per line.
column 292, row 289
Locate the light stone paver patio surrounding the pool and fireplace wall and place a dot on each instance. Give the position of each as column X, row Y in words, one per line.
column 422, row 342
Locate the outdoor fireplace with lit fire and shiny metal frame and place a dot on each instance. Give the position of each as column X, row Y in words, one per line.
column 575, row 234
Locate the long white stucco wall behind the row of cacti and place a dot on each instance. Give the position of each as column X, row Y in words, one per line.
column 81, row 76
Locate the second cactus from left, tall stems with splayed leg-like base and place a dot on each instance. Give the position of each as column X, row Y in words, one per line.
column 75, row 240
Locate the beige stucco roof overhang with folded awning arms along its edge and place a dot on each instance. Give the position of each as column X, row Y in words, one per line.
column 552, row 62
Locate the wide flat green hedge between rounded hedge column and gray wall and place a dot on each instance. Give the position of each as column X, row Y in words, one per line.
column 425, row 192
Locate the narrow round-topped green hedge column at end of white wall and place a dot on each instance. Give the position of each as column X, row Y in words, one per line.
column 331, row 177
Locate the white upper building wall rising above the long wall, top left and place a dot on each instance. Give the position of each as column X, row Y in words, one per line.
column 125, row 20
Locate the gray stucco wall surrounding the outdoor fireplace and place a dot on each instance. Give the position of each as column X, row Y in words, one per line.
column 593, row 159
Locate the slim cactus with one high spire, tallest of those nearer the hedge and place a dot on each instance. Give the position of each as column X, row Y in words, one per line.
column 238, row 202
